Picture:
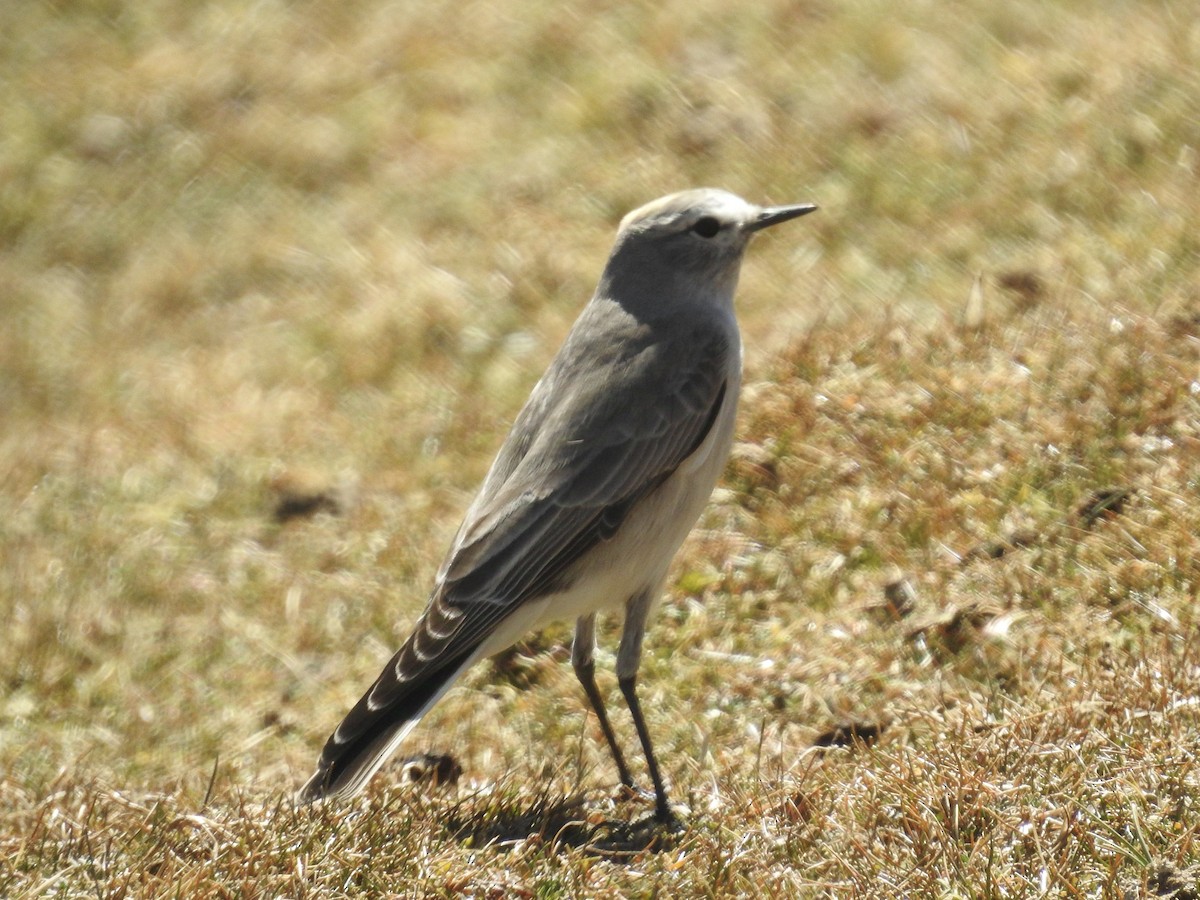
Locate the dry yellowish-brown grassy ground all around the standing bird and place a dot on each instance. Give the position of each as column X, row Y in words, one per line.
column 937, row 635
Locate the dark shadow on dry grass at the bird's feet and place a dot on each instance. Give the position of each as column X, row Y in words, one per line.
column 561, row 824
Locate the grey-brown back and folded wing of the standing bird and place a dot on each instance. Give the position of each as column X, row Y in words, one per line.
column 601, row 433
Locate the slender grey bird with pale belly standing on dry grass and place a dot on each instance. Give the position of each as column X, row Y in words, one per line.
column 604, row 473
